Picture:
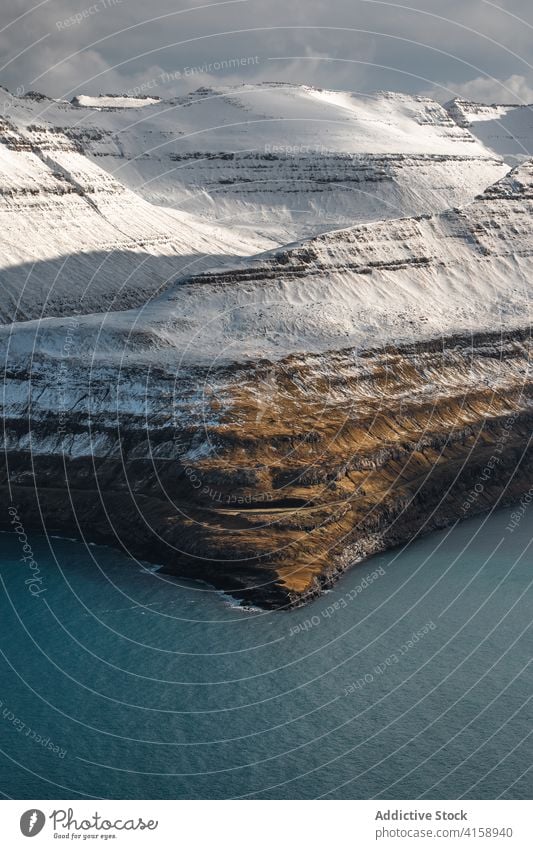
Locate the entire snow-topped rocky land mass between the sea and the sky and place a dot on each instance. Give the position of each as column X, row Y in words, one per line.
column 274, row 417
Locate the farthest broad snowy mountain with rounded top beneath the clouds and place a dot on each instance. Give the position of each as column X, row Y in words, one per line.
column 288, row 161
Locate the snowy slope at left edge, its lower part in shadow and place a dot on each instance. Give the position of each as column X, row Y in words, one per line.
column 73, row 238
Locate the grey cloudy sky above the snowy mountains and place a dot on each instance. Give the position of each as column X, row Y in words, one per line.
column 474, row 48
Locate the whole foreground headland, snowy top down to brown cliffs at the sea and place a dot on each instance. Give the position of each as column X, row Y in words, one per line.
column 265, row 426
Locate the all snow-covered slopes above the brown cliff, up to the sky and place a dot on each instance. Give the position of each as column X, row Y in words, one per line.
column 159, row 286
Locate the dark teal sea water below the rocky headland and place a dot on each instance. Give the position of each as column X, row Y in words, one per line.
column 410, row 679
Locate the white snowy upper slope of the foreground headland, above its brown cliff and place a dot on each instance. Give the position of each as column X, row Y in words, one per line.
column 465, row 270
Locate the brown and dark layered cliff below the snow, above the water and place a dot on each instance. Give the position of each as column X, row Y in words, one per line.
column 276, row 477
